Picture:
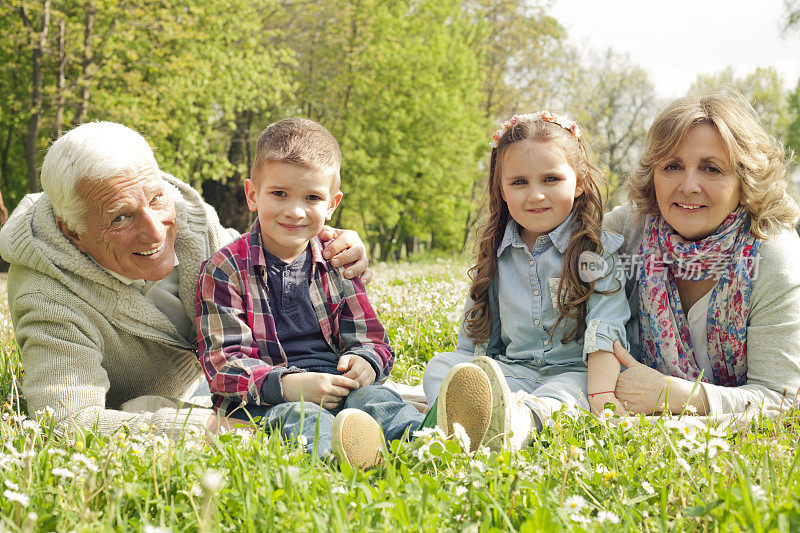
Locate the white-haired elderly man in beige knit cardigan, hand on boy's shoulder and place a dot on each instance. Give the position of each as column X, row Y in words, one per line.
column 102, row 284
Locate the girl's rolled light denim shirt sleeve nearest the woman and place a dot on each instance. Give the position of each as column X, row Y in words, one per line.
column 607, row 313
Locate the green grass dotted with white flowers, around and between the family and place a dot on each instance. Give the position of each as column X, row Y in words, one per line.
column 579, row 474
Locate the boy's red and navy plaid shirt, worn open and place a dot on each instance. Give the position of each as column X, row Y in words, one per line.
column 237, row 341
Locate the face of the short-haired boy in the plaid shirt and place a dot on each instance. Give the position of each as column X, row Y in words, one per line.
column 293, row 203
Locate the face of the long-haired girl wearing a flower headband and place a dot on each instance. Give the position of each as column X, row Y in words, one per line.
column 539, row 186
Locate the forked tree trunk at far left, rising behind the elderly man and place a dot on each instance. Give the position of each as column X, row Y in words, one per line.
column 37, row 49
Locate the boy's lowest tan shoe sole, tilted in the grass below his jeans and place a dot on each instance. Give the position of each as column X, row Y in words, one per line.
column 357, row 439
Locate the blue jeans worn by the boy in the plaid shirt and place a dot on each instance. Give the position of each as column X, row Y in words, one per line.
column 293, row 419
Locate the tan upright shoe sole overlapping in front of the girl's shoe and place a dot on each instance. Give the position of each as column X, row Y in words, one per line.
column 465, row 397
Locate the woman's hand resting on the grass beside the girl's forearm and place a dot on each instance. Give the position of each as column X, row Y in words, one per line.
column 642, row 389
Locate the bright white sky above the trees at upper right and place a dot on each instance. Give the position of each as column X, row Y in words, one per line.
column 675, row 40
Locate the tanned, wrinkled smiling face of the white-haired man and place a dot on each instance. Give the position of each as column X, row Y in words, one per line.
column 130, row 224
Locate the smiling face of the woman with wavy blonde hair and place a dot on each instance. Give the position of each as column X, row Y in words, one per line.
column 696, row 187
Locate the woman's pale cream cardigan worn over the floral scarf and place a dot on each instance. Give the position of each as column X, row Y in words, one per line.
column 773, row 327
